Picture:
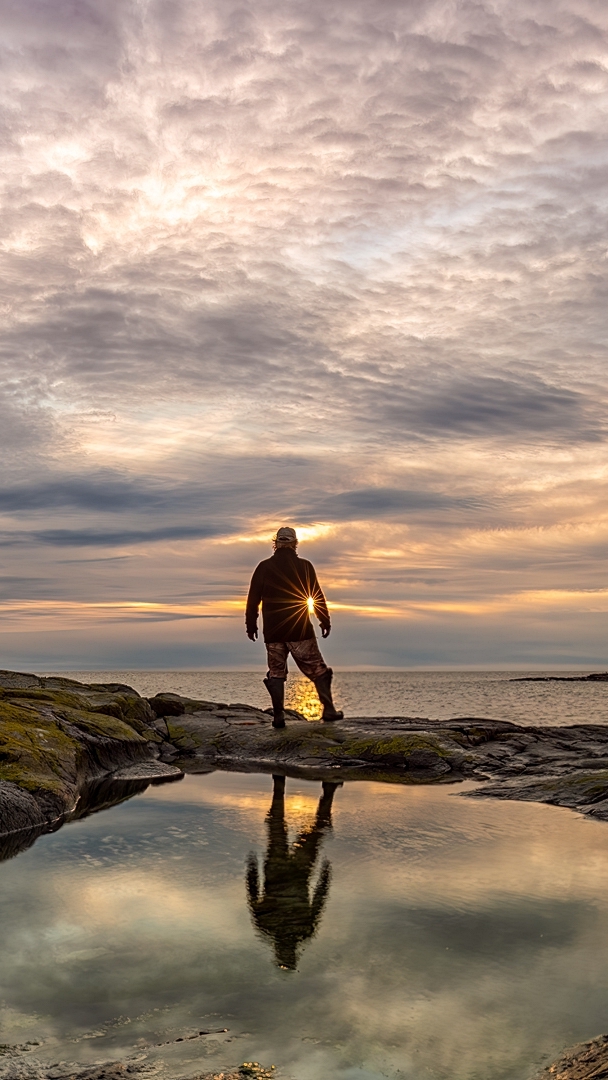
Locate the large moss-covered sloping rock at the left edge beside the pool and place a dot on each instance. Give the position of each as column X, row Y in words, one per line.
column 59, row 739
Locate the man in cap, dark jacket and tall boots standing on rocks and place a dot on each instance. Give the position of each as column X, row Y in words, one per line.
column 288, row 589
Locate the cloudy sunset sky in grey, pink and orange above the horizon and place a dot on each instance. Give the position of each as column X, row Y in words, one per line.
column 333, row 265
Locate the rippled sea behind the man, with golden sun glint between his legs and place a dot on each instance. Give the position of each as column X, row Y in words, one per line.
column 434, row 695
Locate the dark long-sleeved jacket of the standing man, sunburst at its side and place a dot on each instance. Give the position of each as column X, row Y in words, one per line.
column 282, row 585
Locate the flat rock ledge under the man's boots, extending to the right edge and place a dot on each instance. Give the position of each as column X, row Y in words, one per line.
column 562, row 766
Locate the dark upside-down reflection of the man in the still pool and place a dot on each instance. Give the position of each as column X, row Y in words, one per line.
column 286, row 912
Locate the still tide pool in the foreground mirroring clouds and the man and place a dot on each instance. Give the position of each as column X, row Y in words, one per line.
column 394, row 931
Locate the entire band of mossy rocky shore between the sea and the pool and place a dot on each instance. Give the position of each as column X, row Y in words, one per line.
column 70, row 749
